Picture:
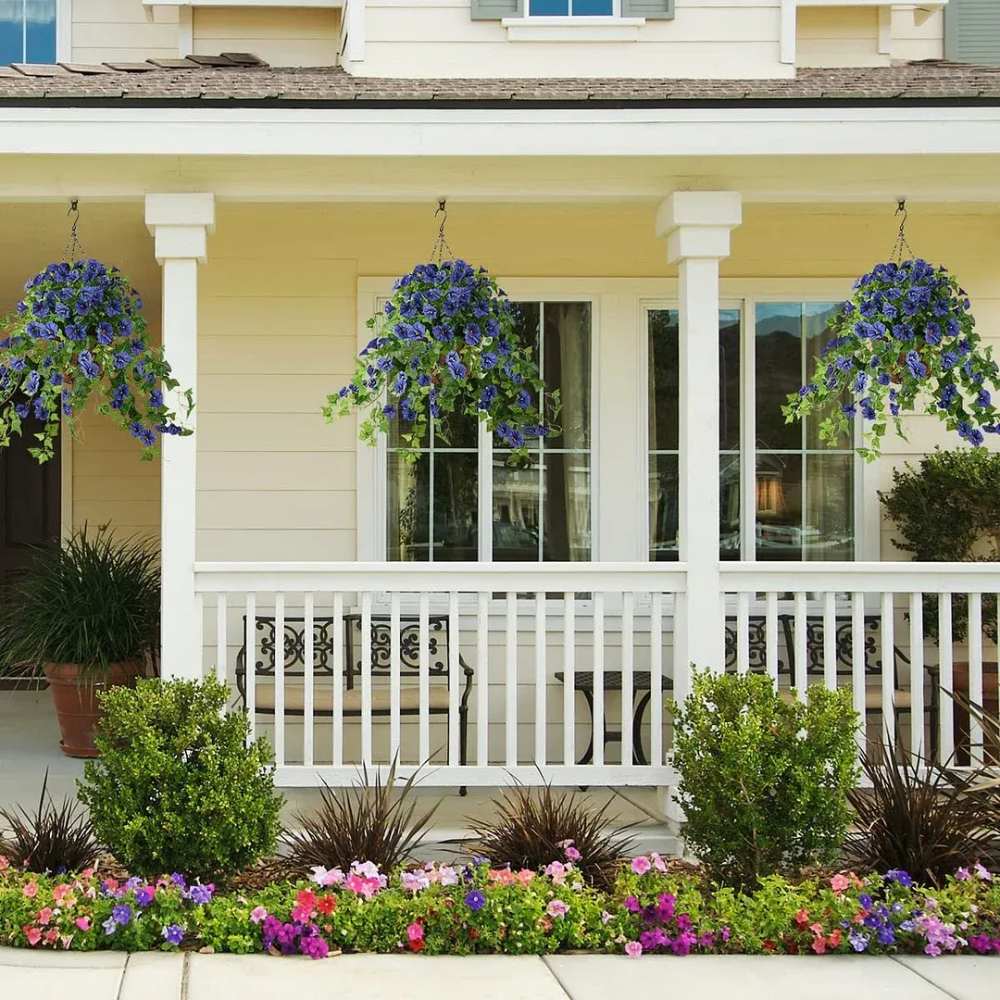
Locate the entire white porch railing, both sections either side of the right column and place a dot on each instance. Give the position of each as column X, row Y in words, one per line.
column 564, row 672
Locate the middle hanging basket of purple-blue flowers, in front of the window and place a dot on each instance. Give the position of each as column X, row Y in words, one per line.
column 446, row 343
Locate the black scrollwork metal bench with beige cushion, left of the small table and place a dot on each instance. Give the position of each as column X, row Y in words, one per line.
column 323, row 647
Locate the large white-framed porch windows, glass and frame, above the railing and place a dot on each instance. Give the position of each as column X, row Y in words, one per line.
column 628, row 464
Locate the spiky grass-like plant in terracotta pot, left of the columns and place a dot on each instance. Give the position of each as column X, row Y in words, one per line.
column 86, row 615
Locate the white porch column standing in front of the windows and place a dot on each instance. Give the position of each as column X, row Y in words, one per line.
column 697, row 225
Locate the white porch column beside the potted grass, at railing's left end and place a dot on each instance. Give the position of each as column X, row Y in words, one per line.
column 180, row 224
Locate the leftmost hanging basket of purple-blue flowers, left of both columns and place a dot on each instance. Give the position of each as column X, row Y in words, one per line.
column 79, row 331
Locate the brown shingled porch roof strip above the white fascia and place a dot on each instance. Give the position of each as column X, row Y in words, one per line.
column 242, row 78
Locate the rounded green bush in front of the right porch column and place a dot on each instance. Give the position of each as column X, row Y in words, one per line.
column 764, row 779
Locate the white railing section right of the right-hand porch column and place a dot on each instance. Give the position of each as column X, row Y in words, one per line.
column 902, row 636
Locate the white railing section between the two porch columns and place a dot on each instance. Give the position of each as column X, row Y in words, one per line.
column 515, row 648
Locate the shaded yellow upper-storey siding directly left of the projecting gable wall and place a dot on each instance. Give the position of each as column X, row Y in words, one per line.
column 281, row 36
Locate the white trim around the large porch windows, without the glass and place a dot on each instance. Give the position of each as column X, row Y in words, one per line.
column 620, row 510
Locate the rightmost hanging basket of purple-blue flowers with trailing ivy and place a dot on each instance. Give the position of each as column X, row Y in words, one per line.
column 905, row 340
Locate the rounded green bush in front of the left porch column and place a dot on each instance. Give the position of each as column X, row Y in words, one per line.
column 177, row 788
